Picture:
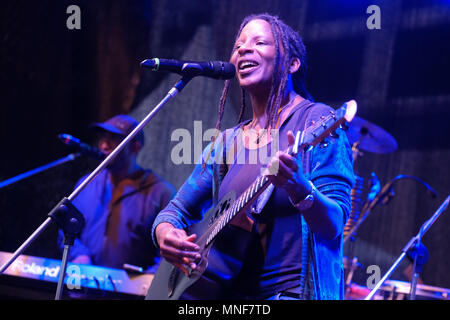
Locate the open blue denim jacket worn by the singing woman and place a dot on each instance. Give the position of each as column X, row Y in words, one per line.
column 328, row 165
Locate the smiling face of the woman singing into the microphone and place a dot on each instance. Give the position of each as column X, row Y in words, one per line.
column 254, row 56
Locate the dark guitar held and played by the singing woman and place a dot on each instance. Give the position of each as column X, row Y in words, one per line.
column 169, row 282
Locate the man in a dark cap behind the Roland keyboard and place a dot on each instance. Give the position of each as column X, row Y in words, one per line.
column 120, row 204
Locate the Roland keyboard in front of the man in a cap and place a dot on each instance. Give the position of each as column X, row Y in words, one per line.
column 43, row 273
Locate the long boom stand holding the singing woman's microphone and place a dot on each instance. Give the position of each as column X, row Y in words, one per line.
column 66, row 216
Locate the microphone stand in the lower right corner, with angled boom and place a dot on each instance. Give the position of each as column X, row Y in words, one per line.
column 414, row 248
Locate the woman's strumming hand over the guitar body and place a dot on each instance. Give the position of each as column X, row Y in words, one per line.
column 177, row 247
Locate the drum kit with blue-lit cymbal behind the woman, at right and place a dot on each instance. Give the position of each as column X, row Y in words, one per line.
column 365, row 136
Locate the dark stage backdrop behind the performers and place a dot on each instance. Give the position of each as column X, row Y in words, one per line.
column 56, row 80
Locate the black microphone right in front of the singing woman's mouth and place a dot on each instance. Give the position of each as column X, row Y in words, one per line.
column 212, row 69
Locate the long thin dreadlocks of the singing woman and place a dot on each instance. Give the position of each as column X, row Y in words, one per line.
column 293, row 46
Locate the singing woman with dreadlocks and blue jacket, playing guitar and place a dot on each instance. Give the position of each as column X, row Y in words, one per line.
column 289, row 246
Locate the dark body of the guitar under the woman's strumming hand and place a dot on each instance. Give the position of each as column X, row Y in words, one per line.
column 169, row 282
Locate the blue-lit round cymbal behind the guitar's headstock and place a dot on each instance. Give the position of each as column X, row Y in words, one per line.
column 370, row 137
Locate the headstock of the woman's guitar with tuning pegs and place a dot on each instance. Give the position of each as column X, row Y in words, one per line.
column 315, row 133
